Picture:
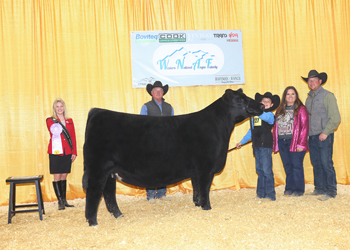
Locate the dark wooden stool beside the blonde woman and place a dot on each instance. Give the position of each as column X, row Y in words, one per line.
column 12, row 202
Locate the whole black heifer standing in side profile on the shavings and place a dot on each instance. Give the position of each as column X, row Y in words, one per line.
column 153, row 152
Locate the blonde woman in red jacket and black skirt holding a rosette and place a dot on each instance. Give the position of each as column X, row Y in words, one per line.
column 62, row 149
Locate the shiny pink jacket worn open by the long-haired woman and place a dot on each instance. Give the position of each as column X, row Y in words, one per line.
column 300, row 132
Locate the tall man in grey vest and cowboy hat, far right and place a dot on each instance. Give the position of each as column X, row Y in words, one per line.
column 324, row 118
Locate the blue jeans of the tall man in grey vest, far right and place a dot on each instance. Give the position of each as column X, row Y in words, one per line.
column 321, row 155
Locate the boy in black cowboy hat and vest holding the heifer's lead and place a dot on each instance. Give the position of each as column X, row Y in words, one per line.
column 261, row 135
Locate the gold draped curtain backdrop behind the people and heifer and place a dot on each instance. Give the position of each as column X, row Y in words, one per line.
column 80, row 51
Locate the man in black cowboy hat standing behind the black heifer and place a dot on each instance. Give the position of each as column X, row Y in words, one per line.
column 157, row 107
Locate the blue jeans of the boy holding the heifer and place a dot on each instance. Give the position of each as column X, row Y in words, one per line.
column 266, row 181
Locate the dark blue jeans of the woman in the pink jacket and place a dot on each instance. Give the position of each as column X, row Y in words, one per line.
column 293, row 163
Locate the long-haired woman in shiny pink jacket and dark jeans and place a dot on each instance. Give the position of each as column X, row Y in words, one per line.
column 290, row 138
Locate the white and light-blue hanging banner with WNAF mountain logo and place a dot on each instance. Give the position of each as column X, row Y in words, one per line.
column 187, row 58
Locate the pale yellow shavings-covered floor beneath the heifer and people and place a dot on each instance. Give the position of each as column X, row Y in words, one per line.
column 238, row 220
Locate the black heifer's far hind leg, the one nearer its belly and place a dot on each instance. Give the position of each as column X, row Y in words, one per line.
column 109, row 196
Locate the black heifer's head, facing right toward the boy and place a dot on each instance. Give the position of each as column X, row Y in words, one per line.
column 243, row 103
